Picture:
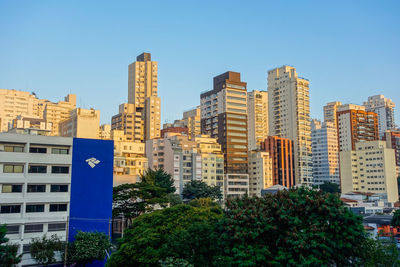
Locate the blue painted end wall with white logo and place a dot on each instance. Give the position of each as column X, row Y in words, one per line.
column 91, row 188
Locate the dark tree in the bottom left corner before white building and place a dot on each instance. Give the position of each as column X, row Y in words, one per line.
column 8, row 252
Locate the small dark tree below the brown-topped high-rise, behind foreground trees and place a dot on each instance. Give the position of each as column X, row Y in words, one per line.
column 199, row 189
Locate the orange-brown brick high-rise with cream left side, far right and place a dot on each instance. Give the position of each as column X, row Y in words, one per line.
column 354, row 125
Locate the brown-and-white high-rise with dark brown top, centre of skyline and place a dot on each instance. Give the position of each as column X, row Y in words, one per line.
column 224, row 117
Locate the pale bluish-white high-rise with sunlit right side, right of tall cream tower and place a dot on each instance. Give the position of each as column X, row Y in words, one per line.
column 325, row 152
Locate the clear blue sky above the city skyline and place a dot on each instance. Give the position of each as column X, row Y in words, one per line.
column 348, row 50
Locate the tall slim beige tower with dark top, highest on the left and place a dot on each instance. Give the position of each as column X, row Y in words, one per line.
column 142, row 92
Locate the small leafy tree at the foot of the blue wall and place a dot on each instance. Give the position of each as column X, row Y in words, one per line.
column 88, row 247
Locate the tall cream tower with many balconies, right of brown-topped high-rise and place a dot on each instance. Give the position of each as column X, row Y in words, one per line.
column 289, row 116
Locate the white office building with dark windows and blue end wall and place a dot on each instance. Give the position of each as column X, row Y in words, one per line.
column 49, row 184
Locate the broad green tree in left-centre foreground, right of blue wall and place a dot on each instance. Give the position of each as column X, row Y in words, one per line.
column 181, row 234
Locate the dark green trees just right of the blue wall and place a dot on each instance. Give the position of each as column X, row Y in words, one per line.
column 131, row 200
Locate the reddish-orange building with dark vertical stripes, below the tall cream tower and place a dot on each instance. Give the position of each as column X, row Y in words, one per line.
column 281, row 152
